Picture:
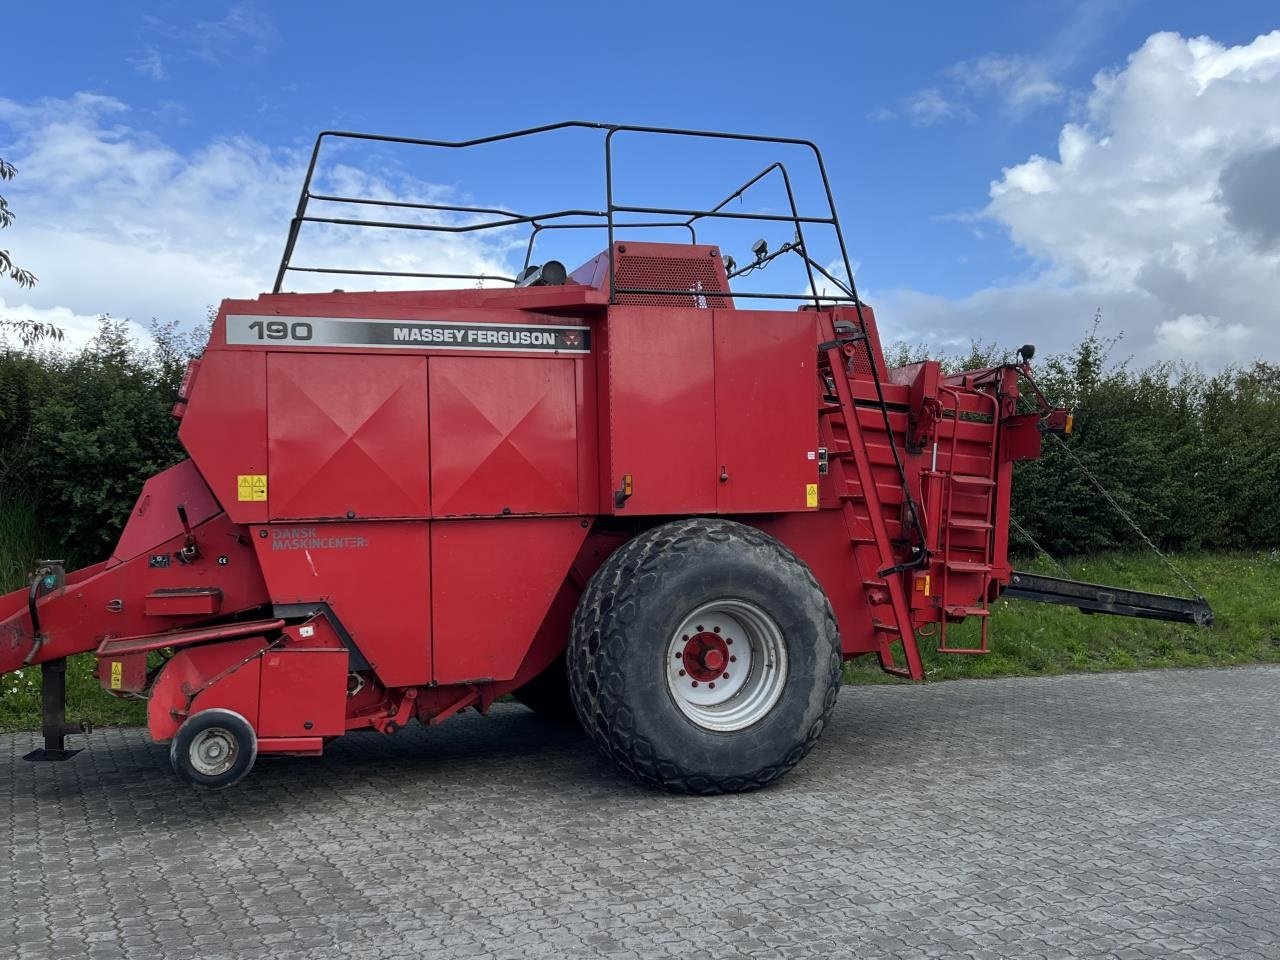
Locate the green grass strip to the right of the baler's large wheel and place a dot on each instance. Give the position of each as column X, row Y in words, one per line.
column 1035, row 639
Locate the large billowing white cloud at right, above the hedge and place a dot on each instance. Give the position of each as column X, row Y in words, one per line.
column 1160, row 209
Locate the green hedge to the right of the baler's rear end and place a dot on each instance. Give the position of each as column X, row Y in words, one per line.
column 1194, row 458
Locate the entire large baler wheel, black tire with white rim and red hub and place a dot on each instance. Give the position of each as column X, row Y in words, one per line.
column 705, row 657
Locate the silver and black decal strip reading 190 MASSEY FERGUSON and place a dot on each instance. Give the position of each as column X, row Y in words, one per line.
column 404, row 335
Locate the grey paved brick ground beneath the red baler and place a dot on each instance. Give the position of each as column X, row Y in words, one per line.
column 1095, row 816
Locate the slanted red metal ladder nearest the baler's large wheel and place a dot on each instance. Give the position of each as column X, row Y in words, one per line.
column 861, row 505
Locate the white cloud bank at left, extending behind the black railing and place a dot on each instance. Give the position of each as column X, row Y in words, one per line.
column 115, row 221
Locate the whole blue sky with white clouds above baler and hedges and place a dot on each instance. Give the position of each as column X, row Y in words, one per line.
column 920, row 108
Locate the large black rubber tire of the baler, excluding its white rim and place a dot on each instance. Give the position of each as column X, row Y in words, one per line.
column 632, row 612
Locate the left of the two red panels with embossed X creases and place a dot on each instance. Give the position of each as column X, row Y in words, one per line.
column 348, row 436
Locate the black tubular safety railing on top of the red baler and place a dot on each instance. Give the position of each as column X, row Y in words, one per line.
column 614, row 217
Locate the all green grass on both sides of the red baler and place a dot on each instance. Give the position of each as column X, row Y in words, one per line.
column 1027, row 639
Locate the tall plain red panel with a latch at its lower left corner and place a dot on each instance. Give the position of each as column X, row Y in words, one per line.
column 662, row 410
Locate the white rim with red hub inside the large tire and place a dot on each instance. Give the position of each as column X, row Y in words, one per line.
column 726, row 665
